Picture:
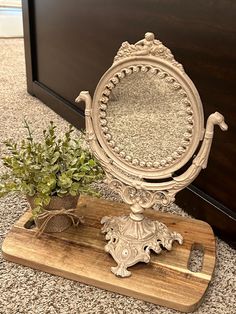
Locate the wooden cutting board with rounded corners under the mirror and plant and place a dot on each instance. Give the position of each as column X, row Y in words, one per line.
column 78, row 254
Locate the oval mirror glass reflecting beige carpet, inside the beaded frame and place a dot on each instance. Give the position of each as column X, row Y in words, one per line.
column 148, row 119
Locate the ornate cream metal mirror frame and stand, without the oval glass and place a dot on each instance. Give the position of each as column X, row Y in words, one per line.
column 132, row 237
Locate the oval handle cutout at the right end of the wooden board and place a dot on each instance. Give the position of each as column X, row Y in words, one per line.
column 196, row 256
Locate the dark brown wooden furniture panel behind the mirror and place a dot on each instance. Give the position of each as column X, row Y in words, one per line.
column 69, row 44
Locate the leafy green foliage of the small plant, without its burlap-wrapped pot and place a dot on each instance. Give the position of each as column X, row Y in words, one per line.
column 53, row 167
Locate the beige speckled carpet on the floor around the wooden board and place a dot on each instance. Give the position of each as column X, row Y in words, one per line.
column 24, row 290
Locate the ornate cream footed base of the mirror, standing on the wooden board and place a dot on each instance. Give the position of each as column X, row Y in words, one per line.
column 130, row 241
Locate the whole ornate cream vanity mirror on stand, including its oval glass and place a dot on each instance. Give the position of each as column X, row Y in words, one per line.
column 143, row 124
